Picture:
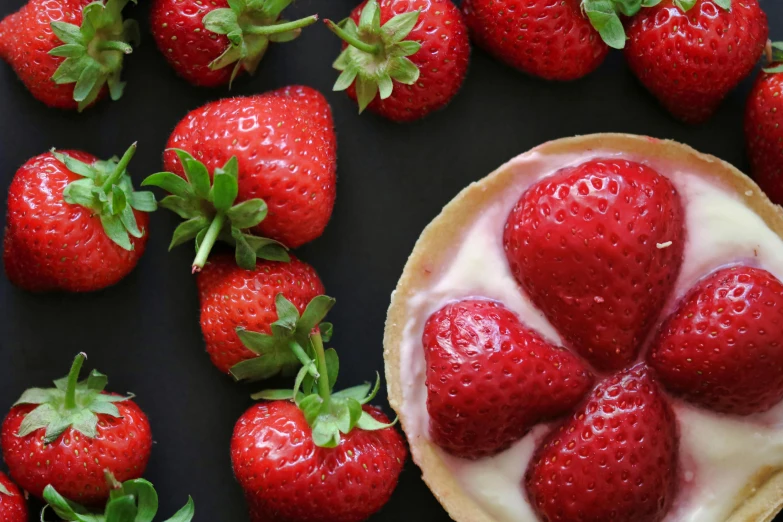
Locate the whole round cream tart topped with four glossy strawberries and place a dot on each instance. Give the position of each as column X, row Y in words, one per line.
column 594, row 332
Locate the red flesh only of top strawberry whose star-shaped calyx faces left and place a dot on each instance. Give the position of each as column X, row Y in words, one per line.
column 442, row 60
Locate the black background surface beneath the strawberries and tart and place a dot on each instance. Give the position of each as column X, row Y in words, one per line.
column 393, row 179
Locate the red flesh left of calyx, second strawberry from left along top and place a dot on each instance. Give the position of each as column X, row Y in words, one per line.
column 187, row 45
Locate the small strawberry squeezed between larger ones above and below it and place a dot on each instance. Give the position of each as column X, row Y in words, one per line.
column 239, row 312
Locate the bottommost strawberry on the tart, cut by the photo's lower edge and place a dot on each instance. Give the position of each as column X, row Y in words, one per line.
column 615, row 459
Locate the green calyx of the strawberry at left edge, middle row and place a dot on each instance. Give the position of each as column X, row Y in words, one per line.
column 107, row 190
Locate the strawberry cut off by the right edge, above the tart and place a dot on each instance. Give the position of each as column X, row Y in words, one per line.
column 764, row 127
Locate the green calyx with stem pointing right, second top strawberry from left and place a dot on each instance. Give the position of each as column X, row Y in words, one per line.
column 250, row 25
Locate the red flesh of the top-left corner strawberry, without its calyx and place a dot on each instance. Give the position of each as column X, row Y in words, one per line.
column 26, row 38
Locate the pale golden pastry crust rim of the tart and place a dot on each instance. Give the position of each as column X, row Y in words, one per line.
column 759, row 501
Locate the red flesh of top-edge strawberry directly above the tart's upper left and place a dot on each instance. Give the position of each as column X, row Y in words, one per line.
column 552, row 40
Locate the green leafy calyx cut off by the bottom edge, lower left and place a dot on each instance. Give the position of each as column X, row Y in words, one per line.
column 131, row 501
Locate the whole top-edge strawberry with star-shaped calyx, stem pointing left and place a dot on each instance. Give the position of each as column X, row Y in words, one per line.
column 403, row 58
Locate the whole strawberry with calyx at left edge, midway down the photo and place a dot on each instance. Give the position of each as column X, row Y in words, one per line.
column 74, row 223
